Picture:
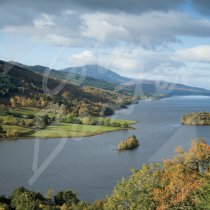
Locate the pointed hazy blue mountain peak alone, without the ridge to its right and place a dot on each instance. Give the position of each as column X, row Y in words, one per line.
column 98, row 72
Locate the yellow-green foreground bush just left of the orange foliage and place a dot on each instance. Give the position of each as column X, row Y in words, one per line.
column 136, row 192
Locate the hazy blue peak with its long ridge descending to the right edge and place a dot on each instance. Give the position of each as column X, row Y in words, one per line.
column 133, row 86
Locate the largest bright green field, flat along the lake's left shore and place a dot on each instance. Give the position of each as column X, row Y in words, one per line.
column 72, row 130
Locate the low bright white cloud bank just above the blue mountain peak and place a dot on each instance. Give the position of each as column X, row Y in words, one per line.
column 128, row 61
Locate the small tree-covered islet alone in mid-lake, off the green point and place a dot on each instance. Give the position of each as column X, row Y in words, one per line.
column 128, row 144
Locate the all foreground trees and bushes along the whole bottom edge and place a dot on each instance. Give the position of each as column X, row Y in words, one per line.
column 179, row 183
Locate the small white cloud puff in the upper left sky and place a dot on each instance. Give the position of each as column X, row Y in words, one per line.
column 44, row 20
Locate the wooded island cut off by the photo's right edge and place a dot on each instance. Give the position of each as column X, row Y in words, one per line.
column 196, row 118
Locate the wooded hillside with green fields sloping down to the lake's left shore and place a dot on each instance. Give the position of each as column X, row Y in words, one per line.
column 38, row 105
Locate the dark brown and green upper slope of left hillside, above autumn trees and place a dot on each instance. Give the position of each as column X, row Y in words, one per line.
column 16, row 79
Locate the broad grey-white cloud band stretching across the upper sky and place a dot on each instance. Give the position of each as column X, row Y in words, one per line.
column 150, row 30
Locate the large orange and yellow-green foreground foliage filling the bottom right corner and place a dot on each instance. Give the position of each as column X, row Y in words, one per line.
column 180, row 183
